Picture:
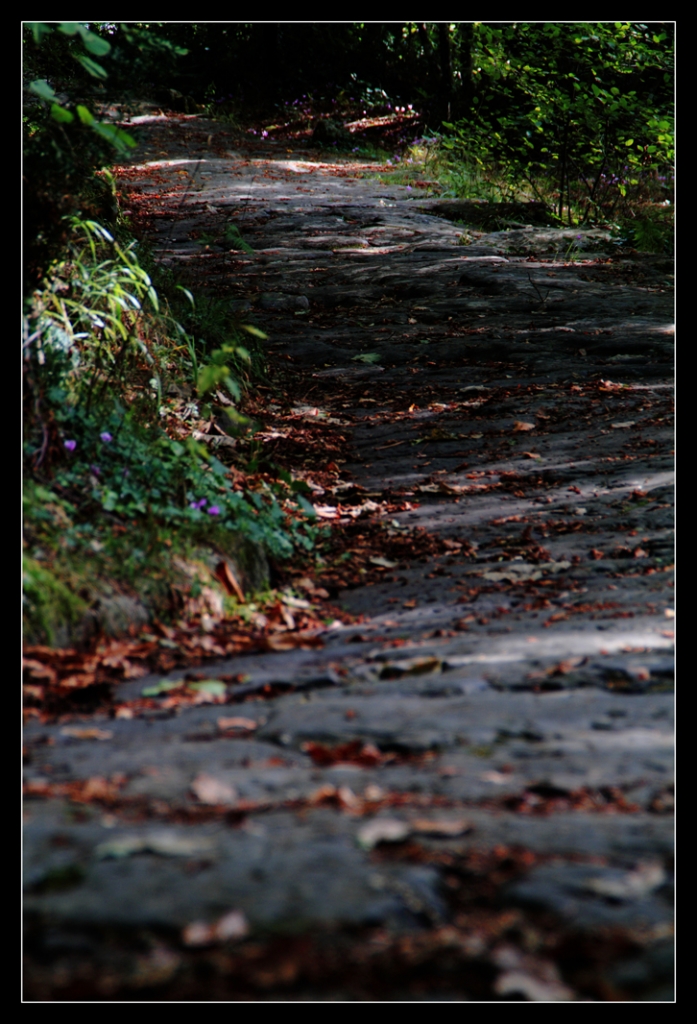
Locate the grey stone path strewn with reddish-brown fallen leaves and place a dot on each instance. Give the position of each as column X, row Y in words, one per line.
column 467, row 796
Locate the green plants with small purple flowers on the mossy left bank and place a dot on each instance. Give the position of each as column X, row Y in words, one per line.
column 110, row 493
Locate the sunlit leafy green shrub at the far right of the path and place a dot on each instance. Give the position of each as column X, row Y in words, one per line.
column 577, row 114
